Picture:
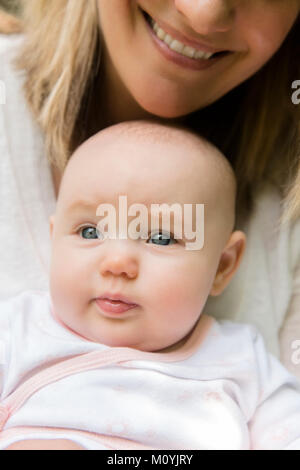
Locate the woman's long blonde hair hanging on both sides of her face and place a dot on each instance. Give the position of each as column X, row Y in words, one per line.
column 256, row 125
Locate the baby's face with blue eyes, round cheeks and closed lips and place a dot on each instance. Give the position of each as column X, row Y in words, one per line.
column 167, row 283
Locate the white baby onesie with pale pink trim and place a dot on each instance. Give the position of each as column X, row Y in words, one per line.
column 220, row 390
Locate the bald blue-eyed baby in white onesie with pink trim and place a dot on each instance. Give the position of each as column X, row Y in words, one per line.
column 118, row 354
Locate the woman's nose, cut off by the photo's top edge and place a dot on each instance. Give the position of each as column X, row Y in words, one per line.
column 208, row 16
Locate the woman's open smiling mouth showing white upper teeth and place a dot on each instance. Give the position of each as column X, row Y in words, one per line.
column 180, row 47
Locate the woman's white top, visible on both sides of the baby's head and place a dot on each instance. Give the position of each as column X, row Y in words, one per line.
column 260, row 292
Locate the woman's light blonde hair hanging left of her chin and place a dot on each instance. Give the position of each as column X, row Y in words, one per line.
column 58, row 57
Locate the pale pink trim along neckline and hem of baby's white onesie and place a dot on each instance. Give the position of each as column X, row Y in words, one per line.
column 95, row 360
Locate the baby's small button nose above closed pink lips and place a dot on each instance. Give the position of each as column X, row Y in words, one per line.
column 119, row 261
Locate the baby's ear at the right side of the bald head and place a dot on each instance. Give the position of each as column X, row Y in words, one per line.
column 229, row 262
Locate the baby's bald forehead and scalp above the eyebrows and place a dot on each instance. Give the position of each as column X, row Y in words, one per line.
column 154, row 162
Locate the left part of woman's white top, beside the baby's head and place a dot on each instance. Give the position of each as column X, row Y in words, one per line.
column 26, row 188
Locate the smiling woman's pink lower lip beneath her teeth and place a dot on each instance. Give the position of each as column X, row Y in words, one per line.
column 179, row 59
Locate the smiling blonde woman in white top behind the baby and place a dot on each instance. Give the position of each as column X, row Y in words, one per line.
column 222, row 67
